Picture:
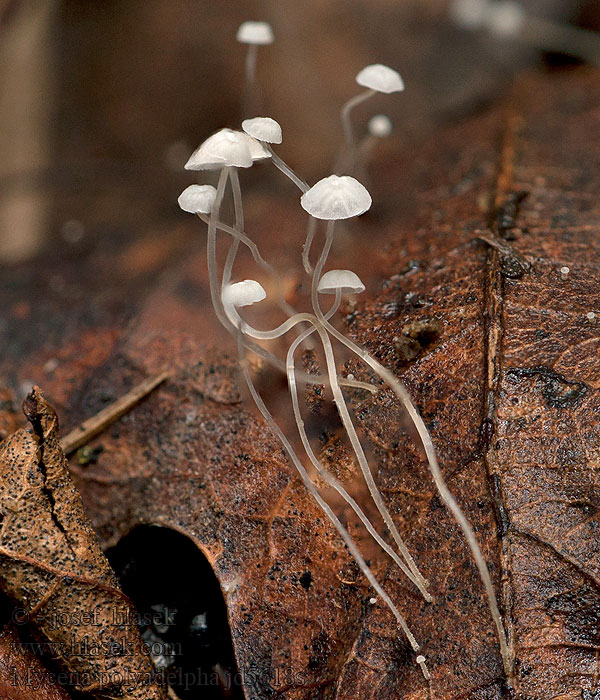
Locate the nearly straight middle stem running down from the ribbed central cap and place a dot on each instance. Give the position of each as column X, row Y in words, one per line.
column 344, row 414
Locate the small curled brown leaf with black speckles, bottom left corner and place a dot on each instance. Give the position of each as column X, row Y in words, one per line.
column 53, row 569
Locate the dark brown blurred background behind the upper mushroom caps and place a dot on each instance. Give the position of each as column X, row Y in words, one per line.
column 102, row 101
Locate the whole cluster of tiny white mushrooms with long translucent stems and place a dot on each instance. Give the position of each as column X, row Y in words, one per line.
column 334, row 198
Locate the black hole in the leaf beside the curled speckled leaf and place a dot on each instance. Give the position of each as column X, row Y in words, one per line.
column 182, row 614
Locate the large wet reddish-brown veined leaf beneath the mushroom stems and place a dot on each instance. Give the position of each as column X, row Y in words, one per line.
column 504, row 370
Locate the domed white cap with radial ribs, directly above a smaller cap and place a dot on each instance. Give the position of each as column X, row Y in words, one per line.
column 336, row 197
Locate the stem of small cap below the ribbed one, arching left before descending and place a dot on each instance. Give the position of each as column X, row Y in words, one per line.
column 328, row 478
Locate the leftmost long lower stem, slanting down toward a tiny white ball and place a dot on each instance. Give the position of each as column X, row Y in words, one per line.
column 310, row 487
